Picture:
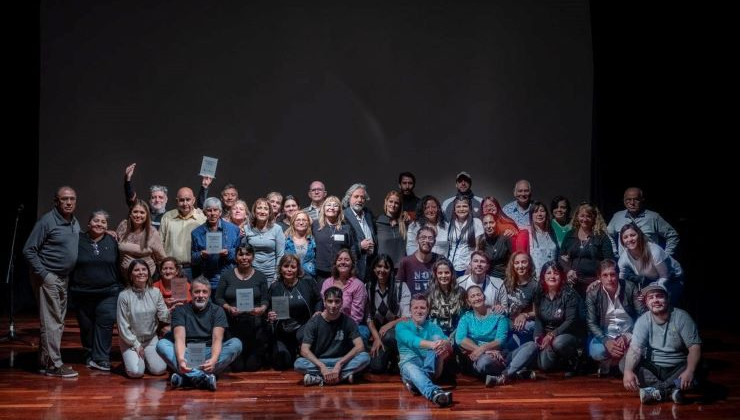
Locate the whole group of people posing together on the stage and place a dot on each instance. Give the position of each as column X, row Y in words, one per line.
column 428, row 288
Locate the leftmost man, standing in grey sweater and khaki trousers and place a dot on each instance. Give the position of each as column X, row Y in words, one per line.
column 51, row 251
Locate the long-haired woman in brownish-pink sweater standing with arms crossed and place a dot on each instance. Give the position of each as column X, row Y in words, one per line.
column 137, row 239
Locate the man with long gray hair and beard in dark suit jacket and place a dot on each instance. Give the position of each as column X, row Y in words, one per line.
column 361, row 219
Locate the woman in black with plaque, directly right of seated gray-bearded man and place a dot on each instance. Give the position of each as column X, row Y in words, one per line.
column 242, row 292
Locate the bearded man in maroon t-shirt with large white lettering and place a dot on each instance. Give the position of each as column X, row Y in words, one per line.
column 416, row 269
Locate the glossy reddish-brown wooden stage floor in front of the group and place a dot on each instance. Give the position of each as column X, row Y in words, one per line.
column 25, row 394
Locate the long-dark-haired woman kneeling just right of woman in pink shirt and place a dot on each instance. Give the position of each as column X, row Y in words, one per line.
column 388, row 304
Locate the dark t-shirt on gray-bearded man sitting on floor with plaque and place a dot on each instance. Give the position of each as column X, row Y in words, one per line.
column 199, row 325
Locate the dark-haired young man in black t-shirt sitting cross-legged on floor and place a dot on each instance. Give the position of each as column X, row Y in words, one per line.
column 332, row 350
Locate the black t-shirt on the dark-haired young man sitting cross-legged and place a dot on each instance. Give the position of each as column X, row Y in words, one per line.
column 330, row 339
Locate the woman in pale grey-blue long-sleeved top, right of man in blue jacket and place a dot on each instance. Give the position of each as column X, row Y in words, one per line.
column 266, row 238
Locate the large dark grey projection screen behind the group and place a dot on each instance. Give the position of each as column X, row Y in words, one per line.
column 285, row 94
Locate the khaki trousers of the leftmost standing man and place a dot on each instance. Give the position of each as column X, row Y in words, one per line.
column 51, row 295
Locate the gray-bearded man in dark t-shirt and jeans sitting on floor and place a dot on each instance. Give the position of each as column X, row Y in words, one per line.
column 198, row 323
